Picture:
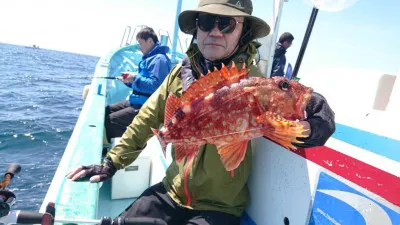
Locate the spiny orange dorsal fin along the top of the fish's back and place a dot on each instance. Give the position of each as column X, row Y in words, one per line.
column 206, row 84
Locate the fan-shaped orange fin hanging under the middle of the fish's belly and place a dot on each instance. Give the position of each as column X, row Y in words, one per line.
column 233, row 154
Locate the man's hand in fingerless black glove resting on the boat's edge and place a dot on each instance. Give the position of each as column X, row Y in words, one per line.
column 93, row 173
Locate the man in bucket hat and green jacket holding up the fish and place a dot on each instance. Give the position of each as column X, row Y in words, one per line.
column 223, row 31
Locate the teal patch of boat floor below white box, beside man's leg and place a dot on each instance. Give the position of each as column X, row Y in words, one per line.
column 111, row 207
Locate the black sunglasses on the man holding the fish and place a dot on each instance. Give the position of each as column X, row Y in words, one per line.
column 226, row 24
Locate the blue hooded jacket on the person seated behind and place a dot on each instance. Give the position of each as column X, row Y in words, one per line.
column 153, row 69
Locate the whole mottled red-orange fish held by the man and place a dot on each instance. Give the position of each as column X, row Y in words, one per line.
column 233, row 109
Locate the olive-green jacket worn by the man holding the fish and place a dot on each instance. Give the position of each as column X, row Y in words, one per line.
column 209, row 185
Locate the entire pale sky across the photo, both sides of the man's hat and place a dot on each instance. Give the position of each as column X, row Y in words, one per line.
column 358, row 37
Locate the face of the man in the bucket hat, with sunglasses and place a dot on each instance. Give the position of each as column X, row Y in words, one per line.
column 216, row 44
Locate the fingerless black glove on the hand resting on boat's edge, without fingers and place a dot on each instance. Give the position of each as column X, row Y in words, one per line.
column 105, row 171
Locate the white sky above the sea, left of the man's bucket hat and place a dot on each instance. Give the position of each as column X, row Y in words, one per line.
column 91, row 27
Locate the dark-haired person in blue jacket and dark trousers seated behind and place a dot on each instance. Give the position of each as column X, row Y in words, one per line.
column 153, row 68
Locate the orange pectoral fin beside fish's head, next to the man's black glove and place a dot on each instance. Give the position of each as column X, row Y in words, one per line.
column 282, row 131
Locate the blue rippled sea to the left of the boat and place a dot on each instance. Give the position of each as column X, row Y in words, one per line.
column 40, row 101
